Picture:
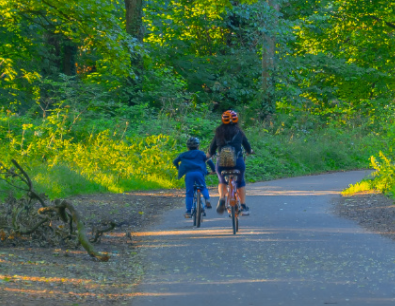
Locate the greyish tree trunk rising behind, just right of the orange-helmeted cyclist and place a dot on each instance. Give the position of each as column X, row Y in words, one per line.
column 268, row 65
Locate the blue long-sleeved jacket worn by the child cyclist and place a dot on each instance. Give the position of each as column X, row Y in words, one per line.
column 192, row 160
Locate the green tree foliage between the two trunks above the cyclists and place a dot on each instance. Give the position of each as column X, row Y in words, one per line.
column 216, row 51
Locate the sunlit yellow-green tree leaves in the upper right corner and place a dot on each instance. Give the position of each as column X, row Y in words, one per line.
column 358, row 34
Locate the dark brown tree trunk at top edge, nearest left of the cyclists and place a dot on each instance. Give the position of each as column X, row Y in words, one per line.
column 134, row 27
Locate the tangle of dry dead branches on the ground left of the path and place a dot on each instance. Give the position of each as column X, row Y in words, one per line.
column 51, row 223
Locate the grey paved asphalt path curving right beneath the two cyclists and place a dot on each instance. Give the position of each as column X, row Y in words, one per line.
column 291, row 251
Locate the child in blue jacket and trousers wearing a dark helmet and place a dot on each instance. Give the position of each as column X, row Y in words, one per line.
column 192, row 164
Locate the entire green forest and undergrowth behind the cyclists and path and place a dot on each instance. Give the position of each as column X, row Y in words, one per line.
column 99, row 96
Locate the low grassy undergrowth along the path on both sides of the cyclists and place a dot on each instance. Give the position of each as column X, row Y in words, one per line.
column 65, row 156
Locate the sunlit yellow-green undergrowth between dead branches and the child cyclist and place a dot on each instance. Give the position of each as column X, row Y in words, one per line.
column 103, row 160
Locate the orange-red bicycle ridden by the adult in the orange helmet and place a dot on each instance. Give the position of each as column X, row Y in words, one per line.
column 232, row 200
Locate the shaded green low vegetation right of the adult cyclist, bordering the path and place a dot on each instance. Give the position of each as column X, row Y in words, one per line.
column 302, row 152
